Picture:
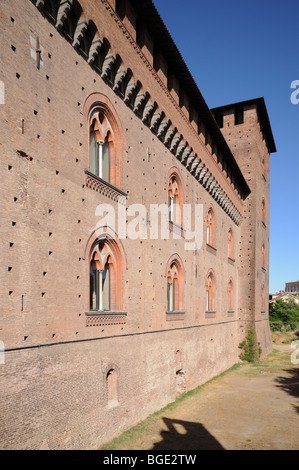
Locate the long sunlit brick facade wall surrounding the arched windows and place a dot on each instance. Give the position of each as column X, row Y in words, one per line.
column 55, row 365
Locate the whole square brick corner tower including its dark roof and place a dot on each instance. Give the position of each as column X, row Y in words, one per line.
column 246, row 128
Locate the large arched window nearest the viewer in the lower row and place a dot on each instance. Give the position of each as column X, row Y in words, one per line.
column 105, row 275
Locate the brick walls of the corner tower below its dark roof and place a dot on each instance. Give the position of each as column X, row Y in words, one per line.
column 250, row 149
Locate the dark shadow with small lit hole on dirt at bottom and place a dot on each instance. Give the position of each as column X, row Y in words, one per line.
column 185, row 435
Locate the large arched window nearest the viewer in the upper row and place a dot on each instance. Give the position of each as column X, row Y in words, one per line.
column 100, row 146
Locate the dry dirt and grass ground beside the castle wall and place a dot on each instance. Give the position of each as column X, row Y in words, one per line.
column 250, row 407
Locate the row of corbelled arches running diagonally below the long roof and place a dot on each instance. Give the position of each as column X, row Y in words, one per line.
column 150, row 113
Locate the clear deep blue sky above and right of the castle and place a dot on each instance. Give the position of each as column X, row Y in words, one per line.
column 238, row 50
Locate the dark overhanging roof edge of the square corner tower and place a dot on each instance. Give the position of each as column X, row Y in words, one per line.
column 263, row 115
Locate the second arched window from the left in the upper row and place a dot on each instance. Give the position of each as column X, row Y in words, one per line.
column 175, row 197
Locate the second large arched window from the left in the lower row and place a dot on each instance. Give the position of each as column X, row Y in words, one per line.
column 174, row 285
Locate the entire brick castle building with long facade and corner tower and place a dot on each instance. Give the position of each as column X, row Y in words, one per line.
column 101, row 328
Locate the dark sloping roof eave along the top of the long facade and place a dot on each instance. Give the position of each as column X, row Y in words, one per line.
column 148, row 14
